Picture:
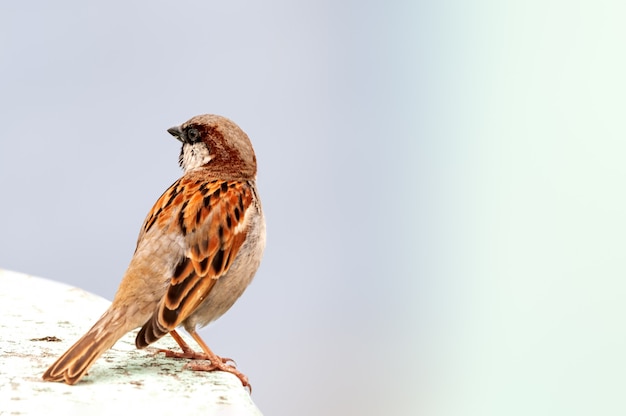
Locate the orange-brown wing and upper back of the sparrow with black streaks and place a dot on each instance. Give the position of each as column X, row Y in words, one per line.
column 211, row 217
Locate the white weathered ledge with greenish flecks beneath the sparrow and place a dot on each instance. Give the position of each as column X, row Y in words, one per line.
column 37, row 313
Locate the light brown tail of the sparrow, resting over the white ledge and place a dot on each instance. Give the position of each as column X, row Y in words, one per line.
column 75, row 362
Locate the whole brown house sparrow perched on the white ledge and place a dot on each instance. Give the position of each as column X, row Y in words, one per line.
column 197, row 251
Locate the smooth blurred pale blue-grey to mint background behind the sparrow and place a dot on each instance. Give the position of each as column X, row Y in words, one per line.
column 443, row 184
